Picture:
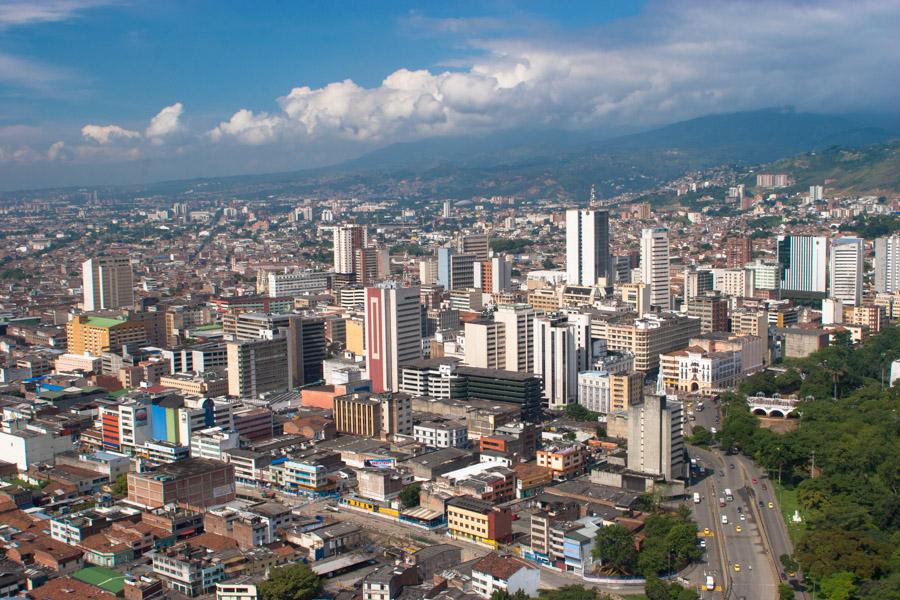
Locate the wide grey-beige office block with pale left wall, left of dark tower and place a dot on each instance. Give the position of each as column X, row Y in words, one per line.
column 256, row 367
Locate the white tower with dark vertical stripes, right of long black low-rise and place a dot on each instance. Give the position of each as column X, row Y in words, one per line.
column 557, row 356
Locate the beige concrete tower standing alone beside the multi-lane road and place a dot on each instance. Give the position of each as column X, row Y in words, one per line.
column 655, row 444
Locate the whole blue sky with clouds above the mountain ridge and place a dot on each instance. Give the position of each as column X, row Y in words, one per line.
column 97, row 92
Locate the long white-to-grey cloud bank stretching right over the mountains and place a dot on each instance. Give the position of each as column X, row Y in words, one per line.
column 677, row 60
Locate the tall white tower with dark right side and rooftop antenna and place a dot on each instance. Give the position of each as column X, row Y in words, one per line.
column 587, row 246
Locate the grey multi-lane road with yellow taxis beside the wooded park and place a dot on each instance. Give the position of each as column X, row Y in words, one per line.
column 763, row 537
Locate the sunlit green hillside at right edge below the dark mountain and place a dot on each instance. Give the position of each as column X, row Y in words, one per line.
column 870, row 169
